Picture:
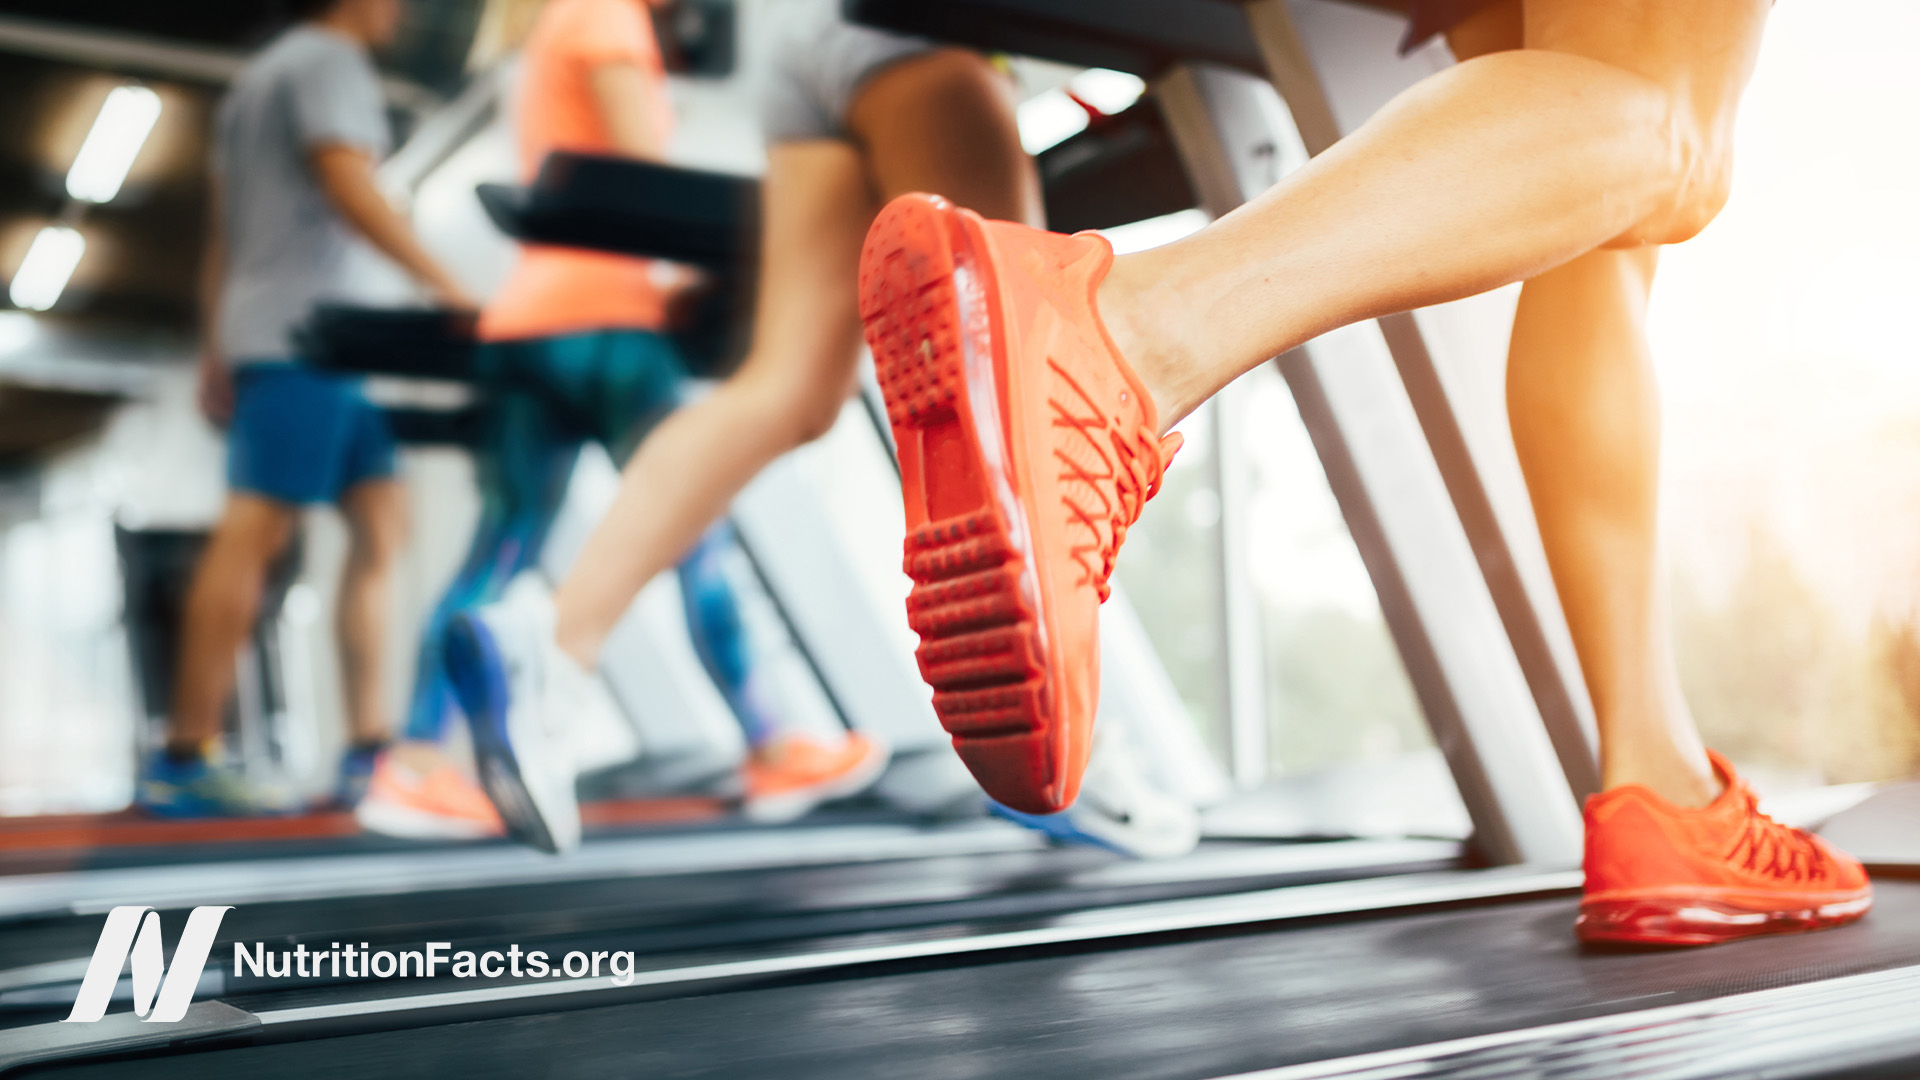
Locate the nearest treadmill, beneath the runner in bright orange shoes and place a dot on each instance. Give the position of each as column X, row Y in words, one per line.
column 1456, row 971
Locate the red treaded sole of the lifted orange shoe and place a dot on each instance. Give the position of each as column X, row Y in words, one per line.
column 976, row 601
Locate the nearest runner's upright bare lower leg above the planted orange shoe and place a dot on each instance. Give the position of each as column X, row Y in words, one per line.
column 1587, row 424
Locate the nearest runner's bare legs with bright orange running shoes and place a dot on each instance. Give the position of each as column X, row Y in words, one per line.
column 1032, row 381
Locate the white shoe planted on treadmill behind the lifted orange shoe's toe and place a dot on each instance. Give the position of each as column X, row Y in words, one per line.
column 1118, row 810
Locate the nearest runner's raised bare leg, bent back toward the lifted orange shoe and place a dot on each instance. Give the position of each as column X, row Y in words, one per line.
column 1614, row 126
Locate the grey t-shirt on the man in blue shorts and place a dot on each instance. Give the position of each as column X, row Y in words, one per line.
column 285, row 245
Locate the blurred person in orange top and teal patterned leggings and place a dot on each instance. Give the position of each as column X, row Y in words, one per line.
column 573, row 349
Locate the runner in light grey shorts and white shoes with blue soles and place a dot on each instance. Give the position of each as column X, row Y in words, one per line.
column 850, row 116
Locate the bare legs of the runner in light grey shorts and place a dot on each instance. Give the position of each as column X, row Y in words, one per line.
column 946, row 124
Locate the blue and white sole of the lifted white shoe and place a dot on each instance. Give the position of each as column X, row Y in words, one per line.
column 479, row 683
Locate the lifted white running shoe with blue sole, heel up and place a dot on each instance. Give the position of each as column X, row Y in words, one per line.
column 521, row 697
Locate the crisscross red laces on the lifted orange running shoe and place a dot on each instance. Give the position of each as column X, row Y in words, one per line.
column 1132, row 466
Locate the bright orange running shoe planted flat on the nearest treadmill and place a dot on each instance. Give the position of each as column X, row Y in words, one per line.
column 1660, row 875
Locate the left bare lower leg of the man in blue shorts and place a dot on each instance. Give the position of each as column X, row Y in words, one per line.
column 222, row 606
